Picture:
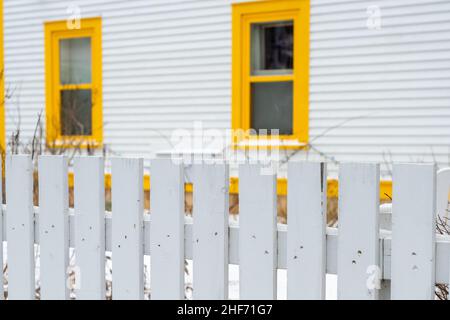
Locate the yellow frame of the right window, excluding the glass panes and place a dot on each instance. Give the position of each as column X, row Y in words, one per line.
column 245, row 14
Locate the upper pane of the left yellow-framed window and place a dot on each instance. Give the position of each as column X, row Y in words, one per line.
column 75, row 60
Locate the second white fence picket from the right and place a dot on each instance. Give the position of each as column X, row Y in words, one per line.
column 358, row 242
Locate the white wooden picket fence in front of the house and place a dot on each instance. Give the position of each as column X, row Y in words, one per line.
column 411, row 258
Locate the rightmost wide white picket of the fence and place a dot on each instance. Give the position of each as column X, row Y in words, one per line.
column 413, row 231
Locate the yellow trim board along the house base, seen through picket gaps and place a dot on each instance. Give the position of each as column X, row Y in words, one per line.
column 333, row 186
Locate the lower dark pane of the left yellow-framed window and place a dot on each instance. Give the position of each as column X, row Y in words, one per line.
column 76, row 112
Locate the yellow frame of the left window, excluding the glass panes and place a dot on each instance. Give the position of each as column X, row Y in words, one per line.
column 54, row 32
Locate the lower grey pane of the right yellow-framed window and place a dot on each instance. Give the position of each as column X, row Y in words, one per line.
column 272, row 106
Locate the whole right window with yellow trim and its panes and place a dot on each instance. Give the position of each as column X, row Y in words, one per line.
column 271, row 72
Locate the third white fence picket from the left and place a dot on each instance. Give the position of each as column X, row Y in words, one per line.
column 89, row 194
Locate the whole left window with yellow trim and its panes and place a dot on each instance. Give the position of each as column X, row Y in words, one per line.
column 74, row 84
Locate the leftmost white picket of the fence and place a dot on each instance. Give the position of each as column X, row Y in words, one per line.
column 20, row 227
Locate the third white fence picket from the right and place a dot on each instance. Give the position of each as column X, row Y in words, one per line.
column 306, row 236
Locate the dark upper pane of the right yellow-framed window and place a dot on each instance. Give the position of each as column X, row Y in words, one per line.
column 272, row 48
